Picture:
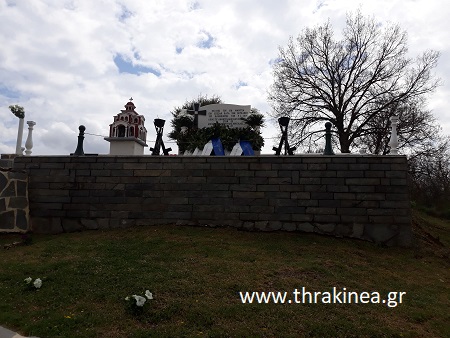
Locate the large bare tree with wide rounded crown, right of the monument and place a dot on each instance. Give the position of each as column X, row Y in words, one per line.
column 353, row 82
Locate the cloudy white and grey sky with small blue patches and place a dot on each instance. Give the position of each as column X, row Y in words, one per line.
column 72, row 62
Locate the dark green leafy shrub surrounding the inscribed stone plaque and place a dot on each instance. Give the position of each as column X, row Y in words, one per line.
column 196, row 138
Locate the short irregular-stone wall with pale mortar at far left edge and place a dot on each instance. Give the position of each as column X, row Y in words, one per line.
column 14, row 216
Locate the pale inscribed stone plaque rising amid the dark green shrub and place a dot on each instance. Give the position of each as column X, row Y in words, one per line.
column 227, row 114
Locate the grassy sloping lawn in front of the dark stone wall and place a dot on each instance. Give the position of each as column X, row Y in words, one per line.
column 195, row 275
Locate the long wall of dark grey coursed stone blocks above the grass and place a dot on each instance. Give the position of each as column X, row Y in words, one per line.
column 356, row 196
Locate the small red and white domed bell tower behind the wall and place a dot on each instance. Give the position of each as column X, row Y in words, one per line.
column 127, row 134
